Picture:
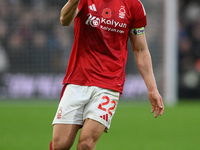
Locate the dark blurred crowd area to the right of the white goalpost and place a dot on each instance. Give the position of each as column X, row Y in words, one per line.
column 189, row 48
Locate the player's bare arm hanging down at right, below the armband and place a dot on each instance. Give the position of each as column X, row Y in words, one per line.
column 144, row 63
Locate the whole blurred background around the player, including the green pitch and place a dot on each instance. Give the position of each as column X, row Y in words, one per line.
column 34, row 52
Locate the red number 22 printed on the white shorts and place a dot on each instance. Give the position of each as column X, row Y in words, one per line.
column 106, row 103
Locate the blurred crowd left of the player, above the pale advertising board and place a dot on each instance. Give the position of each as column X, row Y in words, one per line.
column 31, row 36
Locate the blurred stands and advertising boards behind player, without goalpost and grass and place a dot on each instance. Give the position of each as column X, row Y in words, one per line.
column 35, row 48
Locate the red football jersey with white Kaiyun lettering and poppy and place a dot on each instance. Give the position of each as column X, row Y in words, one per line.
column 99, row 52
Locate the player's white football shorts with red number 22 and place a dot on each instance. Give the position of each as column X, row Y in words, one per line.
column 81, row 102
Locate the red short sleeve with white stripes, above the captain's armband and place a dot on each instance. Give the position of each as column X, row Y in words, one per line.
column 138, row 15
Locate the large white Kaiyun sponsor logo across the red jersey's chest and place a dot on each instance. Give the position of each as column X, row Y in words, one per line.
column 105, row 24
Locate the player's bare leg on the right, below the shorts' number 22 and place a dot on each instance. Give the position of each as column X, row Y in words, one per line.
column 90, row 134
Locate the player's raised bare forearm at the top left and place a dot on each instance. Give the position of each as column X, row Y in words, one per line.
column 69, row 12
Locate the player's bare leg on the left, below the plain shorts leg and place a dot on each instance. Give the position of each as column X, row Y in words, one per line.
column 64, row 135
